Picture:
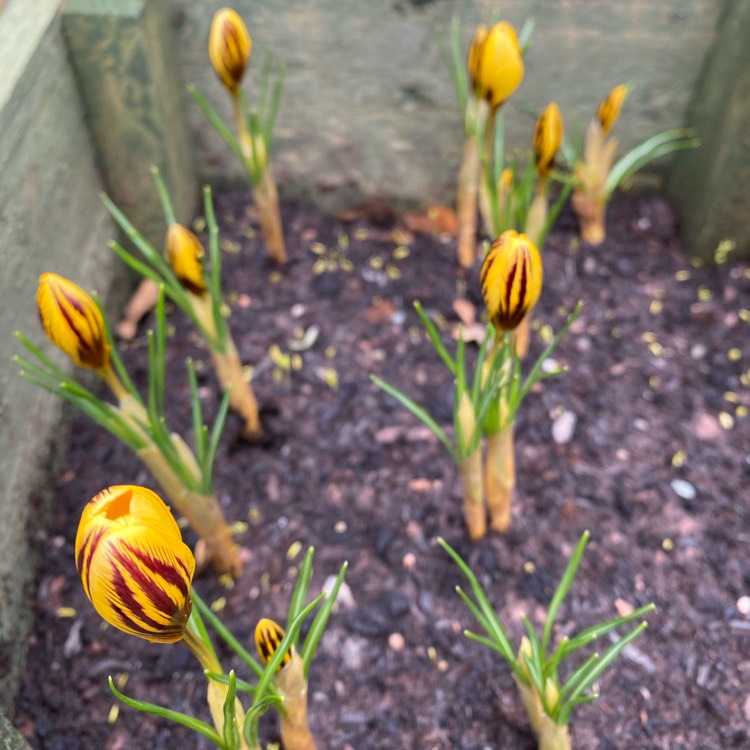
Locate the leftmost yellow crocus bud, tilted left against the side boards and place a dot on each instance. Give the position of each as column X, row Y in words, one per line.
column 72, row 321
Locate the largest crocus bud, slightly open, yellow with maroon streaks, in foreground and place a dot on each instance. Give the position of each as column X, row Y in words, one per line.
column 134, row 566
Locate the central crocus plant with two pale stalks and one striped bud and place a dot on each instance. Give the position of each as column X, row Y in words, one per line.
column 487, row 405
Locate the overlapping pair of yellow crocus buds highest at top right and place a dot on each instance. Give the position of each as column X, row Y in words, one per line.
column 495, row 62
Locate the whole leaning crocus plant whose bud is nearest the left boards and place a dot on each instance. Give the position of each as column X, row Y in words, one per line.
column 76, row 322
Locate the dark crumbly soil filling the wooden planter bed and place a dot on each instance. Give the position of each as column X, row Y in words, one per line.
column 658, row 384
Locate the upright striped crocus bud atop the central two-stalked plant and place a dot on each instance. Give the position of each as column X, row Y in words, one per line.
column 511, row 279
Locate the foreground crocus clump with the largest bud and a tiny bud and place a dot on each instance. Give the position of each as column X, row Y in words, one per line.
column 137, row 572
